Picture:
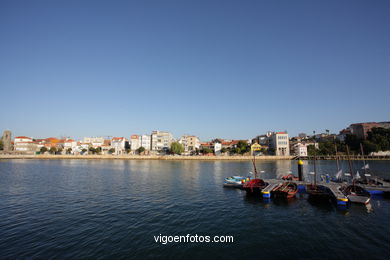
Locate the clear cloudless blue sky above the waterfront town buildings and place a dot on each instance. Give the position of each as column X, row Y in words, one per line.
column 227, row 69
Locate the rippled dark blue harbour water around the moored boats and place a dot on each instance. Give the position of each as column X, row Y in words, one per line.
column 100, row 209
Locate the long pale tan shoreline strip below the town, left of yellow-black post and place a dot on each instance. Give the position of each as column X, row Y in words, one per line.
column 141, row 157
